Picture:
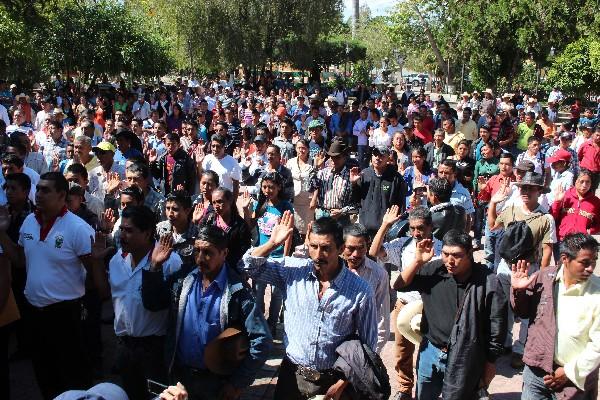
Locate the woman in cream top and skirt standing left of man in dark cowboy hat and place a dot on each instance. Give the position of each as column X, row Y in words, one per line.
column 302, row 172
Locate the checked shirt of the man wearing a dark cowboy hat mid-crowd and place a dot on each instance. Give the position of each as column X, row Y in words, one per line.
column 335, row 189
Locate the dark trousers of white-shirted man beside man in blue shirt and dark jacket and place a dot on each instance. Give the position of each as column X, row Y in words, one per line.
column 139, row 359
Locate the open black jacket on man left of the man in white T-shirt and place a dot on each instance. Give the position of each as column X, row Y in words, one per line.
column 184, row 172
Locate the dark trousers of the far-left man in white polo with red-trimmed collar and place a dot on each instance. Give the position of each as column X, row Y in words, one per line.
column 58, row 355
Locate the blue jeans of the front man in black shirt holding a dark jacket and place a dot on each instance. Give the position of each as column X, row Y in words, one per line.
column 431, row 367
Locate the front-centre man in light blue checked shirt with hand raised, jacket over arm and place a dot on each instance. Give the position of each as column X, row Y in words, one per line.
column 324, row 304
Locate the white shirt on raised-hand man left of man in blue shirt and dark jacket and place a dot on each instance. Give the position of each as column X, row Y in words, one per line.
column 131, row 317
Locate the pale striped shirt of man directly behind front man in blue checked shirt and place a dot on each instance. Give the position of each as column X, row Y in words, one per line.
column 379, row 281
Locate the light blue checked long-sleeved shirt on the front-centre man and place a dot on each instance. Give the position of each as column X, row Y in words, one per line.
column 315, row 328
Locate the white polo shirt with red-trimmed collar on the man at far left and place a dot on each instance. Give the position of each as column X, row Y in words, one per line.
column 54, row 271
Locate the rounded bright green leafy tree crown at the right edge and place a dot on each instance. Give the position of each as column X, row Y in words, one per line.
column 576, row 70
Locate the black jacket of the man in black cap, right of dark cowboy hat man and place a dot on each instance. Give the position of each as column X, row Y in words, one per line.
column 377, row 193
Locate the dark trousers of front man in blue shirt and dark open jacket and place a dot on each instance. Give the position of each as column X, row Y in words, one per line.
column 200, row 384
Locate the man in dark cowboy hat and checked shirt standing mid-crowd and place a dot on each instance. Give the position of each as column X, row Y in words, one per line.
column 332, row 189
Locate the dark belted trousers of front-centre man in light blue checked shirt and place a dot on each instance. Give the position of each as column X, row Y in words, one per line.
column 293, row 386
